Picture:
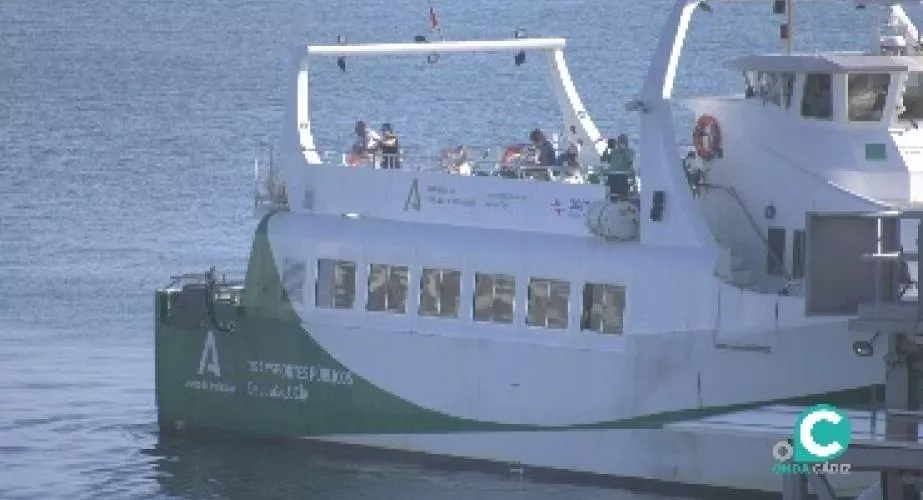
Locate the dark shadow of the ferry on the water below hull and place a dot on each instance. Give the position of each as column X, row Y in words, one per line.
column 210, row 464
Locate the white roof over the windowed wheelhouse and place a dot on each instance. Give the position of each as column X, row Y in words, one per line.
column 842, row 62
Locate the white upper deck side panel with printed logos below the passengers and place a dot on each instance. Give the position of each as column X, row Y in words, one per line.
column 554, row 200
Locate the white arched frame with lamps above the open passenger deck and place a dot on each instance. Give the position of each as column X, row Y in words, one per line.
column 577, row 122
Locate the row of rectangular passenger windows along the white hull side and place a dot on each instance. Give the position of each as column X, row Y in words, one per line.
column 548, row 300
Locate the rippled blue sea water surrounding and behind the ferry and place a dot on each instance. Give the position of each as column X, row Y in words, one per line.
column 128, row 130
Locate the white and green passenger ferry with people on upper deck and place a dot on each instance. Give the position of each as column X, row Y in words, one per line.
column 656, row 326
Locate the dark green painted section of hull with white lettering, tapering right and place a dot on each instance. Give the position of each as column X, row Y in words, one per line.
column 273, row 378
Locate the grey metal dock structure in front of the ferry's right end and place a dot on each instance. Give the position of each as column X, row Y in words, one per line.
column 894, row 322
